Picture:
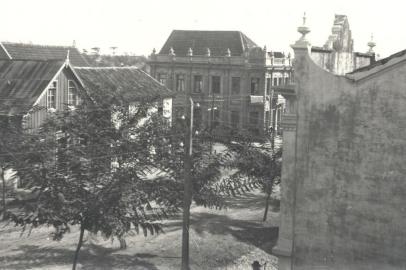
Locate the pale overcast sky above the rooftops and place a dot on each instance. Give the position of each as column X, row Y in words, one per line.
column 138, row 26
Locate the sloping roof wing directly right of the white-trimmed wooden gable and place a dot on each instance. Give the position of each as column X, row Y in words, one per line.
column 134, row 83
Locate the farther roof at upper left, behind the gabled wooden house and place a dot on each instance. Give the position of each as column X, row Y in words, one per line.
column 22, row 51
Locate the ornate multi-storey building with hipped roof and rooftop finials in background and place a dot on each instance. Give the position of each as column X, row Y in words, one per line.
column 226, row 73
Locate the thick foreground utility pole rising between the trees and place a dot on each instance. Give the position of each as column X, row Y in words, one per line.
column 188, row 191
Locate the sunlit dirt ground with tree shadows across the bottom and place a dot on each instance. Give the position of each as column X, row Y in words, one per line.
column 220, row 239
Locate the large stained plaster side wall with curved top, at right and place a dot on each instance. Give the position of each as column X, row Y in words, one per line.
column 350, row 190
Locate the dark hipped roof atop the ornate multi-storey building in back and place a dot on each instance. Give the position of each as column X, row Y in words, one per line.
column 217, row 41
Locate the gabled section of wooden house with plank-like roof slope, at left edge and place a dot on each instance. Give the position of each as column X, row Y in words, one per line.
column 31, row 89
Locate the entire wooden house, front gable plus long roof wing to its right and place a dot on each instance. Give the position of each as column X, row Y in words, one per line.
column 32, row 89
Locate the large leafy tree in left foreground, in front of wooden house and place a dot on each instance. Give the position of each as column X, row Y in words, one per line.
column 85, row 169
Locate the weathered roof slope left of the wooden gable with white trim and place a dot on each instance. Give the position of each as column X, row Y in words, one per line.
column 23, row 81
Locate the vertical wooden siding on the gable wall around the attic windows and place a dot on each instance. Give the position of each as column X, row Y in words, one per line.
column 38, row 114
